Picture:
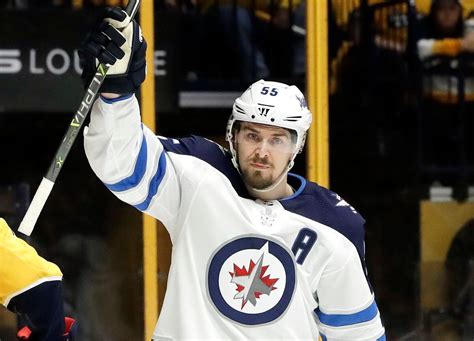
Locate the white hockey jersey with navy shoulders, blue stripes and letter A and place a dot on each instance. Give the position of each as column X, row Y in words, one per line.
column 242, row 269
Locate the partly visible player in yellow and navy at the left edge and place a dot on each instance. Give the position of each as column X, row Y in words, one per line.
column 31, row 287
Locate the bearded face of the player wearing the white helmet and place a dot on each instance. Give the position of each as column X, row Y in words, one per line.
column 263, row 152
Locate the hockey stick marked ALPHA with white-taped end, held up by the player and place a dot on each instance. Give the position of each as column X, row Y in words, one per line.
column 47, row 183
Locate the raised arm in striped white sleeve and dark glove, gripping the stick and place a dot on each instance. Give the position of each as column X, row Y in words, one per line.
column 126, row 156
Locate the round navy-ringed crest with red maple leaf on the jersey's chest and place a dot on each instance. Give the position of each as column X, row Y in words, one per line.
column 251, row 280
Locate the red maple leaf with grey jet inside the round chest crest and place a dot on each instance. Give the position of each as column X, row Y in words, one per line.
column 252, row 283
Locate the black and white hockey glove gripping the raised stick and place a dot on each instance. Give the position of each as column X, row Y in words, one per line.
column 117, row 41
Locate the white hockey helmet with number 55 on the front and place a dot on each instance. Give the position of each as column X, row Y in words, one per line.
column 275, row 104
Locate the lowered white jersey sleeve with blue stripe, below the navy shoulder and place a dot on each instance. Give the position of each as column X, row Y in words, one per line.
column 347, row 309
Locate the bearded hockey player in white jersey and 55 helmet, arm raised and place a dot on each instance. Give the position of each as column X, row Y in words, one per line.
column 258, row 252
